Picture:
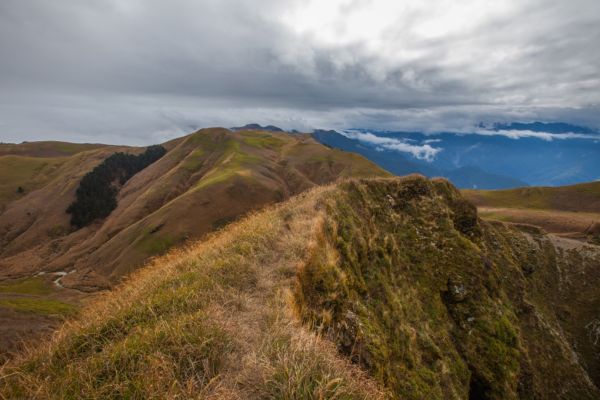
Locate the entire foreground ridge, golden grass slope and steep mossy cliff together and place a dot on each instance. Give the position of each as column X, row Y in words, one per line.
column 370, row 288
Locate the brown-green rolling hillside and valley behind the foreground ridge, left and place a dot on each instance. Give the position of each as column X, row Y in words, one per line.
column 204, row 181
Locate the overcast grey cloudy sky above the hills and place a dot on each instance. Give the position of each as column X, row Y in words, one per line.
column 144, row 71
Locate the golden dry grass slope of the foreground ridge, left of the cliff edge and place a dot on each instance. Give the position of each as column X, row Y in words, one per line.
column 213, row 320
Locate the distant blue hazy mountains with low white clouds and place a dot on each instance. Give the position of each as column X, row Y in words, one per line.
column 496, row 157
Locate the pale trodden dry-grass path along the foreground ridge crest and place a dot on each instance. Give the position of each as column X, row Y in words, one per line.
column 267, row 332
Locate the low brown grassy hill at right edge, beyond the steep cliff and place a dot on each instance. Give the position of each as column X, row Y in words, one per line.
column 571, row 211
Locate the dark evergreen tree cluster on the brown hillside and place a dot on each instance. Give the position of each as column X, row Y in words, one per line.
column 96, row 195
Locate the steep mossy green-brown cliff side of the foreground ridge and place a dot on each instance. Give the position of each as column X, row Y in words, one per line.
column 438, row 304
